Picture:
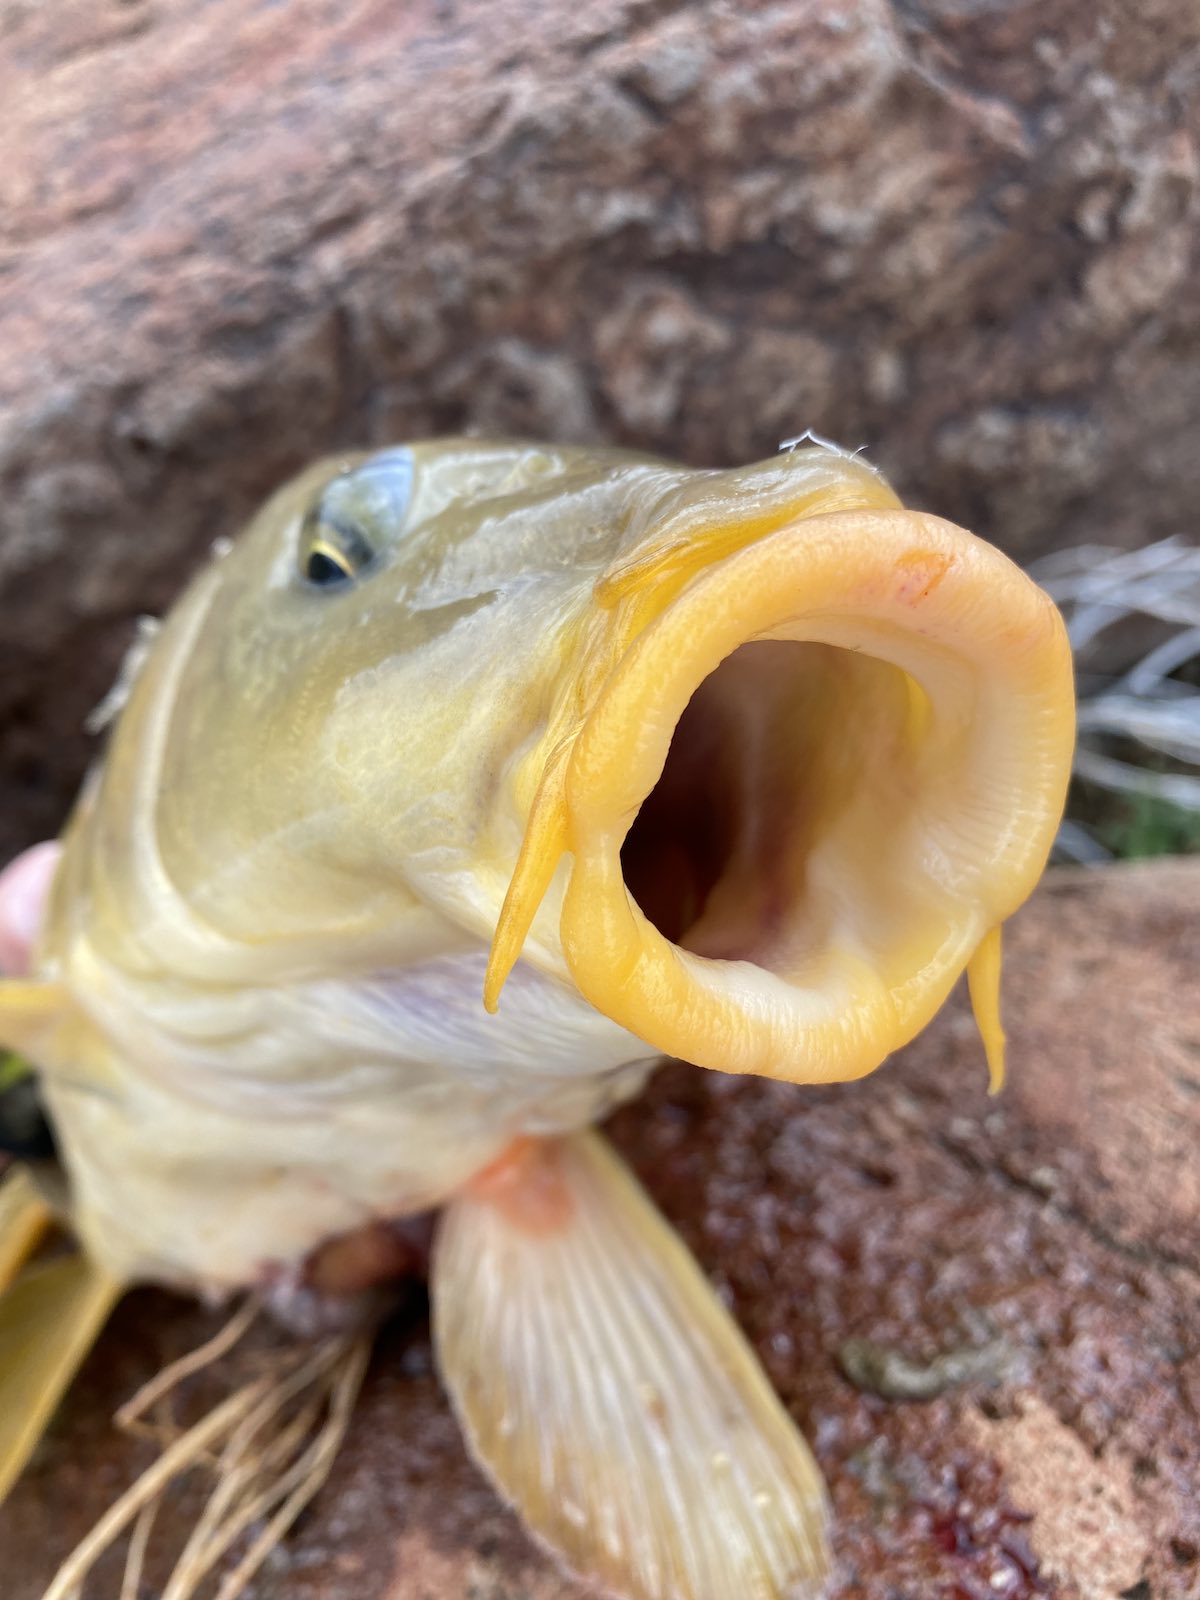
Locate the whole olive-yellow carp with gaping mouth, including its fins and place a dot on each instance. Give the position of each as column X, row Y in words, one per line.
column 468, row 783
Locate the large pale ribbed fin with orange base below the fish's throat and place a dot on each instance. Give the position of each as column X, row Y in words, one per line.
column 610, row 1396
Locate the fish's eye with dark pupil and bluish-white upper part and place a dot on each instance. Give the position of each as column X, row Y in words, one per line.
column 356, row 518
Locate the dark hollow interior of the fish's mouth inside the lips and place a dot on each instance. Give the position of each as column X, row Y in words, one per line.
column 791, row 780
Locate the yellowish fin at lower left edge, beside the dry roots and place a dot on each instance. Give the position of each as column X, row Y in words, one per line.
column 49, row 1322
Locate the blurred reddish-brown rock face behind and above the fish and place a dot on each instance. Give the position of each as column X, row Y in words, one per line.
column 236, row 236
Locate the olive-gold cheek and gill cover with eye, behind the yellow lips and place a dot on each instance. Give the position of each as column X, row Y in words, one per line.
column 310, row 770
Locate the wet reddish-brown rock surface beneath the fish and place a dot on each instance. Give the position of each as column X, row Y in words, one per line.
column 910, row 1210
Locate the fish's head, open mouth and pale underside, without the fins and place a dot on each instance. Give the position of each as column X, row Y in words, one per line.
column 279, row 890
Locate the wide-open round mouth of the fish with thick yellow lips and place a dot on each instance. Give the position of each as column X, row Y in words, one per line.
column 882, row 718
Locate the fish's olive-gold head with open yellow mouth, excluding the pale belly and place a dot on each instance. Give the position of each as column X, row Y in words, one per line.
column 754, row 761
